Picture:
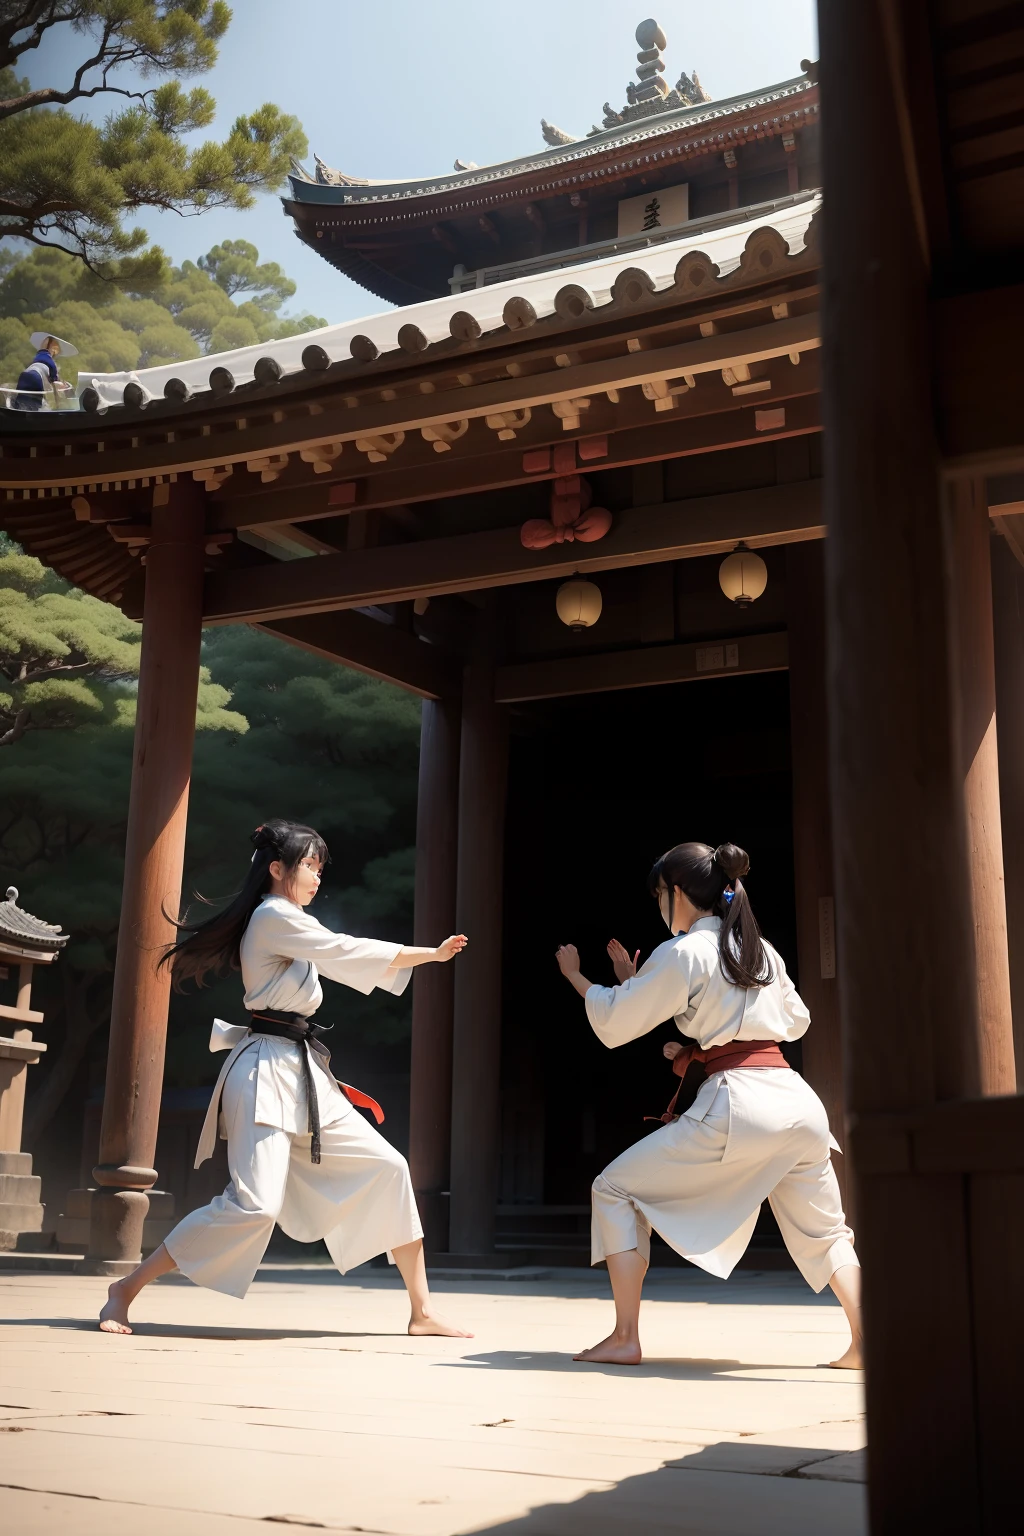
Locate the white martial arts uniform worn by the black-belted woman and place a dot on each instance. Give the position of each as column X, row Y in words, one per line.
column 360, row 1197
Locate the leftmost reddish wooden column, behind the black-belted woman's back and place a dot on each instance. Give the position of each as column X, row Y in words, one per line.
column 154, row 853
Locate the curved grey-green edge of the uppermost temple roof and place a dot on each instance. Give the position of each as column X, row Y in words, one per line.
column 332, row 188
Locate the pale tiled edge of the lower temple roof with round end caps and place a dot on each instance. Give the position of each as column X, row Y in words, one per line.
column 589, row 285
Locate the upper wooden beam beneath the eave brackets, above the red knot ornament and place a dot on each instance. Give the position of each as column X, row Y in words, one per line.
column 667, row 439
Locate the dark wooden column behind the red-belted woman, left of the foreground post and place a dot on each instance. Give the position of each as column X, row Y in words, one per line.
column 813, row 838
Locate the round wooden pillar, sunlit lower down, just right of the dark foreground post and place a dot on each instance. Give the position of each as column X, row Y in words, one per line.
column 980, row 766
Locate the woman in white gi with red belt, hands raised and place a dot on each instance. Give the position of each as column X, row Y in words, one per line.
column 755, row 1131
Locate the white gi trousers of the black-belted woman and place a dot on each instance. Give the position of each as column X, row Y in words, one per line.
column 360, row 1199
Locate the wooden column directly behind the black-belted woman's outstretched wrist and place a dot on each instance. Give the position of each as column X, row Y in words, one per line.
column 434, row 987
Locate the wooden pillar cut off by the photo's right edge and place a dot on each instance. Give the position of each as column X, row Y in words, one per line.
column 1008, row 601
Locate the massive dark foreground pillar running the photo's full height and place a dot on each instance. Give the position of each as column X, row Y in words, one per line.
column 902, row 876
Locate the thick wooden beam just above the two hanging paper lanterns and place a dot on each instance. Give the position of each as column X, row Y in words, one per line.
column 497, row 558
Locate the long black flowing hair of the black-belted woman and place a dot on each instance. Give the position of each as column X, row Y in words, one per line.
column 214, row 944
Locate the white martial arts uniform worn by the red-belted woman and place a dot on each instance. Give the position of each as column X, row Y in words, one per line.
column 751, row 1133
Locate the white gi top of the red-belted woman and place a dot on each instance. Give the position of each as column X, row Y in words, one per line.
column 684, row 981
